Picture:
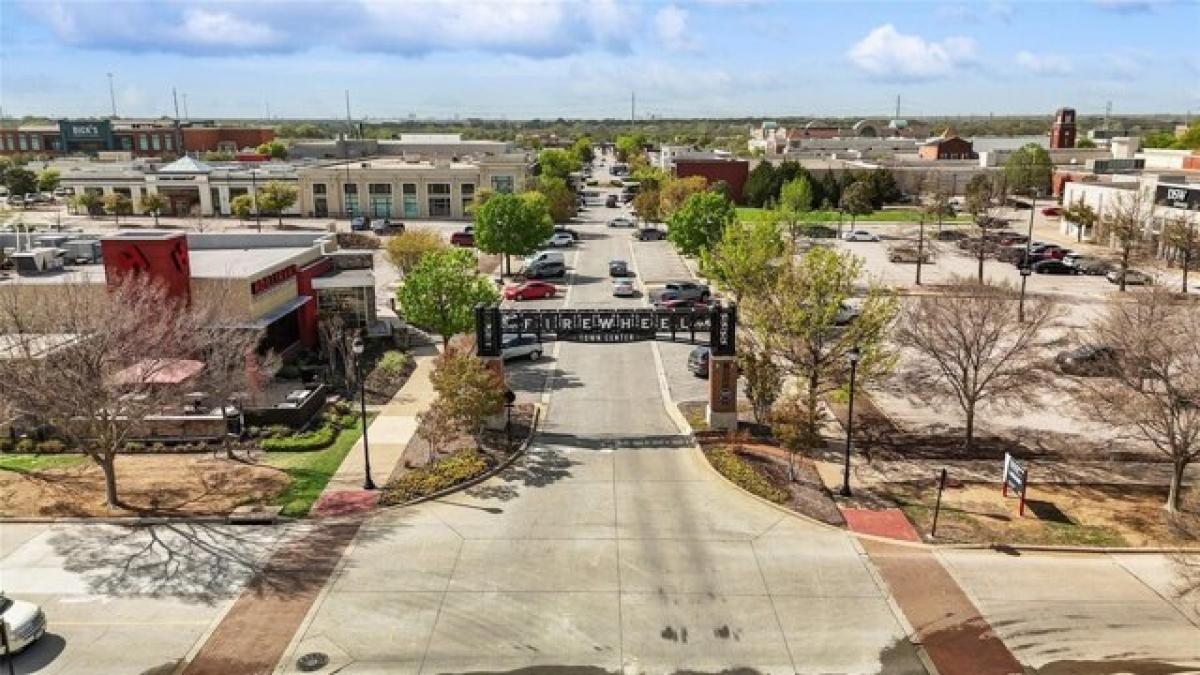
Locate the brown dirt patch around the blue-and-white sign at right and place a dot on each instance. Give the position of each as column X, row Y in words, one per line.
column 1054, row 515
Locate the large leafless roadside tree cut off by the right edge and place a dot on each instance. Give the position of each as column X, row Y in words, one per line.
column 1155, row 389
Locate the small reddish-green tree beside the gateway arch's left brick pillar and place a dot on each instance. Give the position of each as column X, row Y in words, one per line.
column 469, row 392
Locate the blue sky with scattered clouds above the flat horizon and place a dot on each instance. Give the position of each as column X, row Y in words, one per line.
column 523, row 59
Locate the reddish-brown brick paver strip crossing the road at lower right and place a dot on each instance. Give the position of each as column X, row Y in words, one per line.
column 956, row 636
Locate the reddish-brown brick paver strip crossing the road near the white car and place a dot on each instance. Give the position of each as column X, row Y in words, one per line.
column 251, row 638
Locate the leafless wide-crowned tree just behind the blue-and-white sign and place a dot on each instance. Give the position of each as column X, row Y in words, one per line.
column 970, row 348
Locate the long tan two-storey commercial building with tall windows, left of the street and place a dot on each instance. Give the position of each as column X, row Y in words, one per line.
column 399, row 189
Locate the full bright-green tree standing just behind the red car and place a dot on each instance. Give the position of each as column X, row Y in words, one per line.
column 513, row 225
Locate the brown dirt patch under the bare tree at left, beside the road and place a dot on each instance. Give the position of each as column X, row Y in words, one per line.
column 148, row 485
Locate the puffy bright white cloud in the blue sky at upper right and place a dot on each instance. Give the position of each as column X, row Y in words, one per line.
column 889, row 53
